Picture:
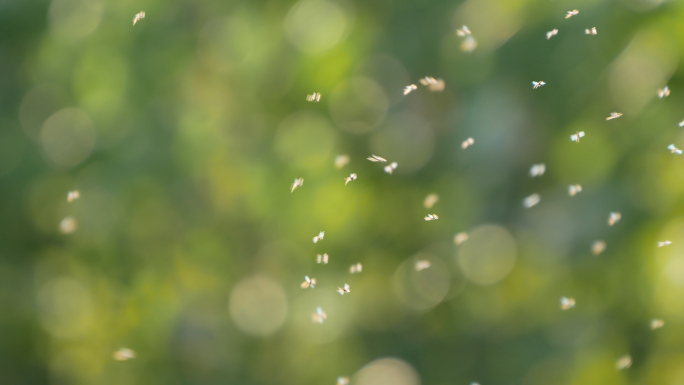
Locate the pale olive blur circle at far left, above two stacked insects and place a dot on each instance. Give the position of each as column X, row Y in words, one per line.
column 68, row 137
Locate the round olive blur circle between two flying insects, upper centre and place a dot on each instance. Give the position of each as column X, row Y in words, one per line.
column 358, row 105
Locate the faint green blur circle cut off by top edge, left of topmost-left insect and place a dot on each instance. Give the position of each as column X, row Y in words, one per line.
column 74, row 19
